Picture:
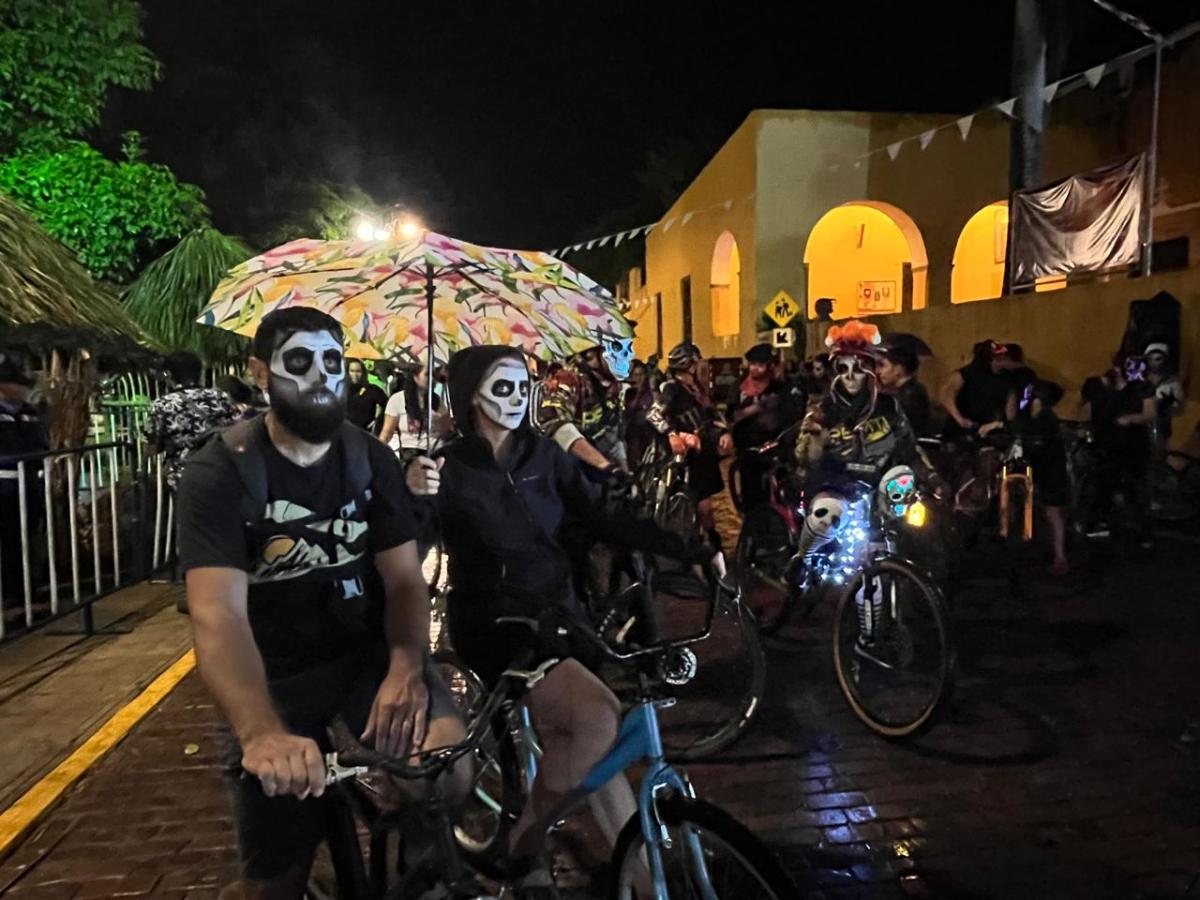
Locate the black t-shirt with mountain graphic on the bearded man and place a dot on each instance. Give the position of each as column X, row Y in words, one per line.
column 315, row 595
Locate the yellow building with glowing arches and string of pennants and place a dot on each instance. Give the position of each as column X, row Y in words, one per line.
column 783, row 207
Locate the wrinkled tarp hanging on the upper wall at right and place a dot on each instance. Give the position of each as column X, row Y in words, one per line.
column 1085, row 224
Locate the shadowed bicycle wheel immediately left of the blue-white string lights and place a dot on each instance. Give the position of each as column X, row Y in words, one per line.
column 763, row 560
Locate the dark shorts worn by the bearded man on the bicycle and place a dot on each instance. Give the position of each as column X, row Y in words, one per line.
column 277, row 835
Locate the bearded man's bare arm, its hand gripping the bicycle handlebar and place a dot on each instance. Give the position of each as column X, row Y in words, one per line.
column 232, row 668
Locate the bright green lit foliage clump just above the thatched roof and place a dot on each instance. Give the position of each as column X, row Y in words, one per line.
column 113, row 215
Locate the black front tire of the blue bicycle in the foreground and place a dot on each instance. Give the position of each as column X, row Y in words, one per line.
column 760, row 866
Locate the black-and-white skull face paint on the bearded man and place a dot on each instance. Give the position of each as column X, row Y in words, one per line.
column 308, row 386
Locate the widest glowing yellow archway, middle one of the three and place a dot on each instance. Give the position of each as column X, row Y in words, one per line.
column 869, row 259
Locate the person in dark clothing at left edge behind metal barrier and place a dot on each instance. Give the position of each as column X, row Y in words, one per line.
column 22, row 433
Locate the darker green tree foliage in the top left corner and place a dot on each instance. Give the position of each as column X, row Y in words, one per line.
column 58, row 61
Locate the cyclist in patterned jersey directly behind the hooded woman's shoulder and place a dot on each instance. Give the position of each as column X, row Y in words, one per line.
column 583, row 409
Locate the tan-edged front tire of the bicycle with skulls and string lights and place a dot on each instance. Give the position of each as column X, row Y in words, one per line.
column 844, row 653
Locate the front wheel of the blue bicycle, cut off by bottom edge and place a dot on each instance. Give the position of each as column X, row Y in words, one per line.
column 711, row 855
